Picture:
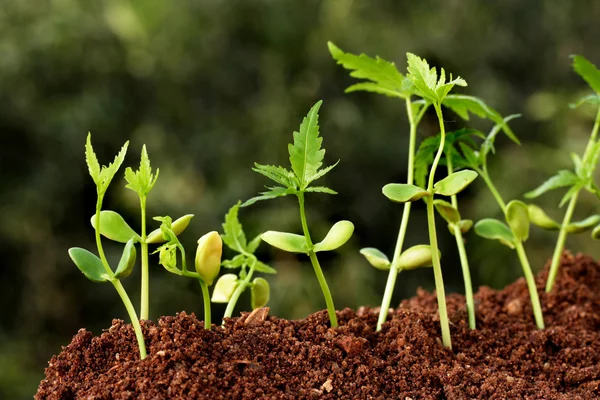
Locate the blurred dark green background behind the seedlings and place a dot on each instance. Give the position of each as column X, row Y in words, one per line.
column 212, row 86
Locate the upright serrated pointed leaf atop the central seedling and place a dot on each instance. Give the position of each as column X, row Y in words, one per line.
column 306, row 155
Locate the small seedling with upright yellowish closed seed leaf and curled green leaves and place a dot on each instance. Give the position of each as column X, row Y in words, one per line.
column 207, row 262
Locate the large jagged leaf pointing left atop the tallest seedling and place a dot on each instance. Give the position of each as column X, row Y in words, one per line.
column 383, row 76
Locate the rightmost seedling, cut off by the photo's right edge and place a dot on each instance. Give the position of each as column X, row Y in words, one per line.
column 581, row 178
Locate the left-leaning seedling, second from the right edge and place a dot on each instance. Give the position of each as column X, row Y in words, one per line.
column 515, row 231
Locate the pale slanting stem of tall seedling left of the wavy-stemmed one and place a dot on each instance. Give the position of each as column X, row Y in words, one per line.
column 391, row 282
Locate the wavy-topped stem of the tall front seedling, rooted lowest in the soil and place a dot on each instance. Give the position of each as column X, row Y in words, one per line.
column 437, row 268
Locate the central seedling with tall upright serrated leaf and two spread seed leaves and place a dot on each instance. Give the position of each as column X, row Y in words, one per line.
column 306, row 159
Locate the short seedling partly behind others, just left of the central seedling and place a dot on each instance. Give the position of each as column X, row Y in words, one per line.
column 229, row 287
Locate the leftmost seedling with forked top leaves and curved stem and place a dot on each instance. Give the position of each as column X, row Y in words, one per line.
column 97, row 269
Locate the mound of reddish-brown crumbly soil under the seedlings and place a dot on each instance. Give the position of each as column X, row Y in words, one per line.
column 259, row 356
